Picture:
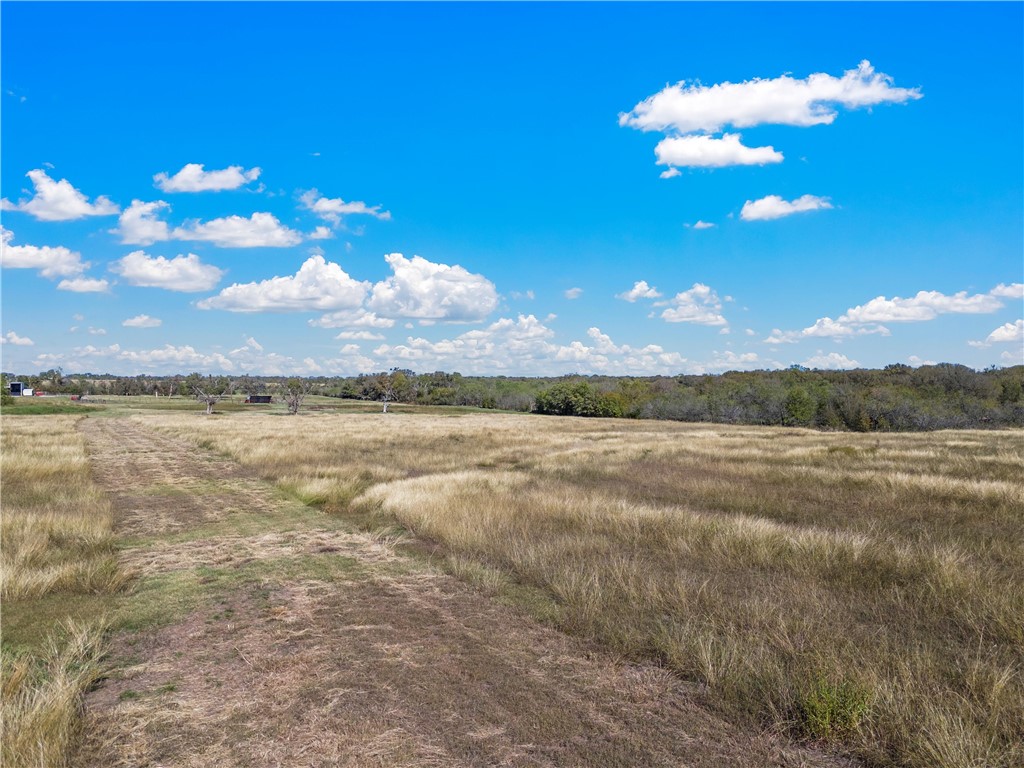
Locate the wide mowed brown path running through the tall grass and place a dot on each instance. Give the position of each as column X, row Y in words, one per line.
column 313, row 646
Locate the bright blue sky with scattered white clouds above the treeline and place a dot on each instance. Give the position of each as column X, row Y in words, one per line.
column 510, row 189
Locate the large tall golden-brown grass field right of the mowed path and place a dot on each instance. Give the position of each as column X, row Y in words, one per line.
column 864, row 591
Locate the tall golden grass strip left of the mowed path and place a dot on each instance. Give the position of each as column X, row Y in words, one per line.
column 56, row 537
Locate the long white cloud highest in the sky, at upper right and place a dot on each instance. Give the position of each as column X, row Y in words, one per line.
column 784, row 101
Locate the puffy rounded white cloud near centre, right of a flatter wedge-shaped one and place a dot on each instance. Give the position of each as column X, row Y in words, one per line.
column 424, row 290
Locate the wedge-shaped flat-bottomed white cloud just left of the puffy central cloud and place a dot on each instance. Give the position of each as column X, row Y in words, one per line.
column 319, row 285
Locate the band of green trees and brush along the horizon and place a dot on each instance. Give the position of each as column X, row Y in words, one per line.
column 895, row 399
